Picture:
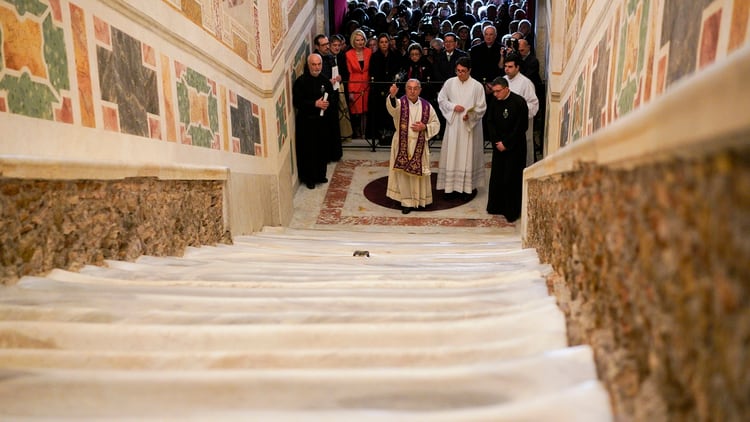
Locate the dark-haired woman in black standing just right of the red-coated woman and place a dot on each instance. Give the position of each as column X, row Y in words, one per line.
column 385, row 64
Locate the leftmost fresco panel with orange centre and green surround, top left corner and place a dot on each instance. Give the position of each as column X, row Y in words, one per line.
column 34, row 72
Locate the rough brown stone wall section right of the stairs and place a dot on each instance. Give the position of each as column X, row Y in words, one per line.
column 652, row 268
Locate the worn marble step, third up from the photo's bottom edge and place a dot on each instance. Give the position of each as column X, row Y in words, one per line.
column 102, row 336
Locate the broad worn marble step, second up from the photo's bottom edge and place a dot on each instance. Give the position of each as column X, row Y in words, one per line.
column 137, row 393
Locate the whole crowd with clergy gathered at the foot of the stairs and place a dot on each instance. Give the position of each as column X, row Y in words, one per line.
column 452, row 61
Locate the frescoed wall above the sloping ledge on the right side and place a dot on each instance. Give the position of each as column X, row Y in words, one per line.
column 631, row 51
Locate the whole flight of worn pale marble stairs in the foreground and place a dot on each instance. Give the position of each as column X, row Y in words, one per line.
column 287, row 324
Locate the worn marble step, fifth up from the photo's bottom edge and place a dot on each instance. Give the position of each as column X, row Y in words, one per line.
column 377, row 298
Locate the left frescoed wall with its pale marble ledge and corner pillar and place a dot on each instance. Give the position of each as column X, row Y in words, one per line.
column 178, row 85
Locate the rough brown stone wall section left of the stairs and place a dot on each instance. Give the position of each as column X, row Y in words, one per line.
column 50, row 224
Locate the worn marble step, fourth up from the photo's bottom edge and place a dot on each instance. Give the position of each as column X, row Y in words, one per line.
column 78, row 307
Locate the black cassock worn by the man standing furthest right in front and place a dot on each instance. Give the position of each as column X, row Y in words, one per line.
column 507, row 121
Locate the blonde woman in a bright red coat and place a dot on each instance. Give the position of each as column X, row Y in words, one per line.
column 358, row 65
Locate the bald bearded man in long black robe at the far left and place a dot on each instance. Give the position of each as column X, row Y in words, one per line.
column 314, row 120
